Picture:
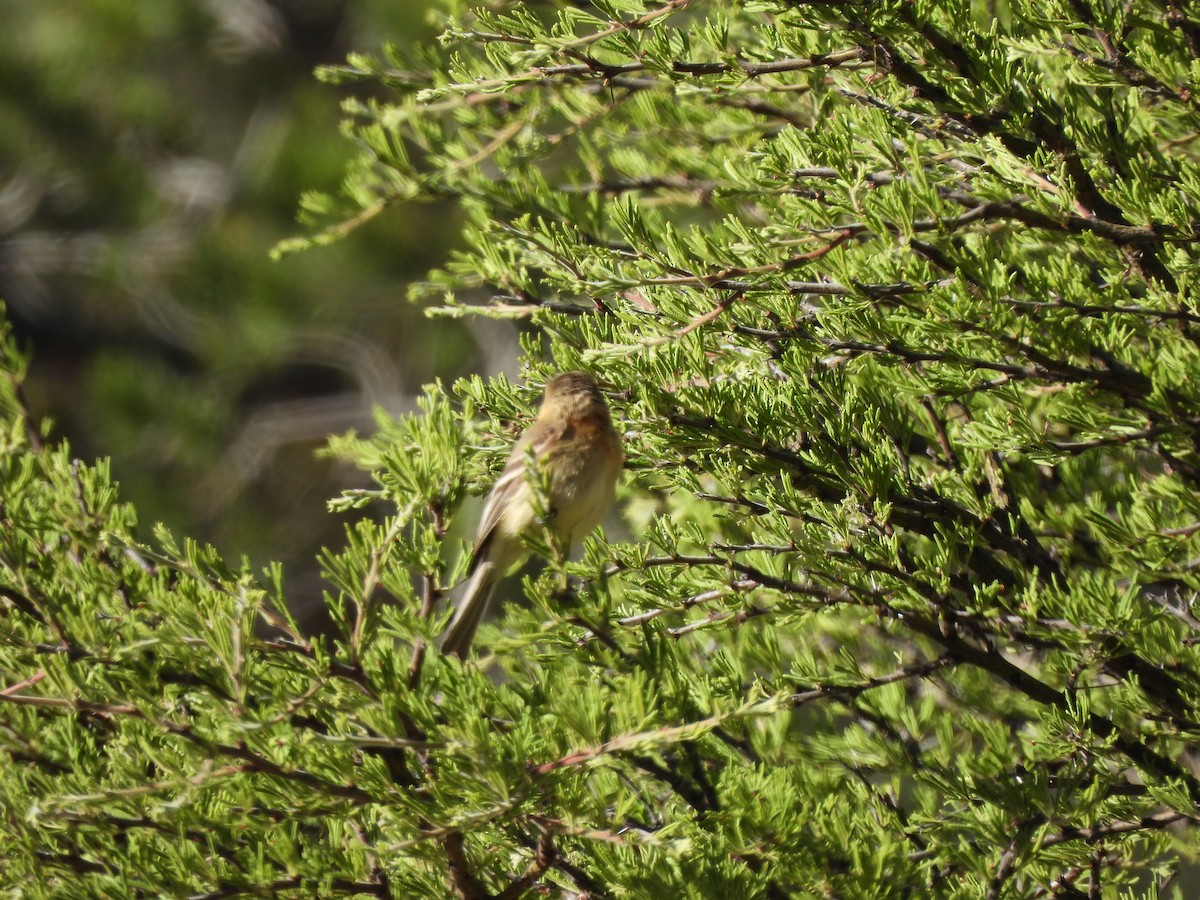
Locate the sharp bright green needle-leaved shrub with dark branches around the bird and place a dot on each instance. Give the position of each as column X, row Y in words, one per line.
column 897, row 305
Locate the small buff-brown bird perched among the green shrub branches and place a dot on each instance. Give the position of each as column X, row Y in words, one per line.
column 579, row 455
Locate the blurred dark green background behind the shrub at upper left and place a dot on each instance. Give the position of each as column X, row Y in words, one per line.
column 152, row 154
